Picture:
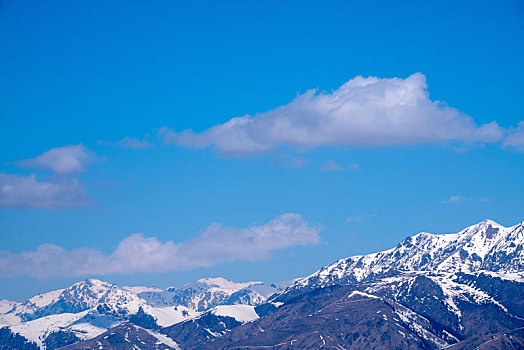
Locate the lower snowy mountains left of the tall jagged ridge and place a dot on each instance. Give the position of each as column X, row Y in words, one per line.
column 89, row 308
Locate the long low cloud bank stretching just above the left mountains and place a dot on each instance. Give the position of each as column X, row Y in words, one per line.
column 136, row 253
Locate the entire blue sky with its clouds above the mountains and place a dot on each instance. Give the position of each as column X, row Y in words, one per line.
column 106, row 89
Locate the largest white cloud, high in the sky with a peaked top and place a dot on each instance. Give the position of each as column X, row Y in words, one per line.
column 362, row 112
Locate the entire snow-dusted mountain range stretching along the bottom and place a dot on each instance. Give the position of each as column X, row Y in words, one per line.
column 432, row 291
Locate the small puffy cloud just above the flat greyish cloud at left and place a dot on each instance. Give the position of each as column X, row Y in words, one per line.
column 62, row 160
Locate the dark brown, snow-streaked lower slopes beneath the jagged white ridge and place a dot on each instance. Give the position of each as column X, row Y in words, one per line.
column 401, row 312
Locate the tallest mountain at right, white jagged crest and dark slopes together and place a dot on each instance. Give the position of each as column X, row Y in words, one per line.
column 429, row 292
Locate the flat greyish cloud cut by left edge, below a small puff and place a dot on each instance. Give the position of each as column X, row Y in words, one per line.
column 28, row 192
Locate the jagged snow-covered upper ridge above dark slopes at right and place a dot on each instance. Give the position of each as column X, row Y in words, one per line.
column 484, row 246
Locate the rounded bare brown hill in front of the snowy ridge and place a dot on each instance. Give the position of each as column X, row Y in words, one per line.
column 333, row 318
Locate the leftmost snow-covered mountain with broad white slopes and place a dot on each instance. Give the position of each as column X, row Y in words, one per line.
column 83, row 310
